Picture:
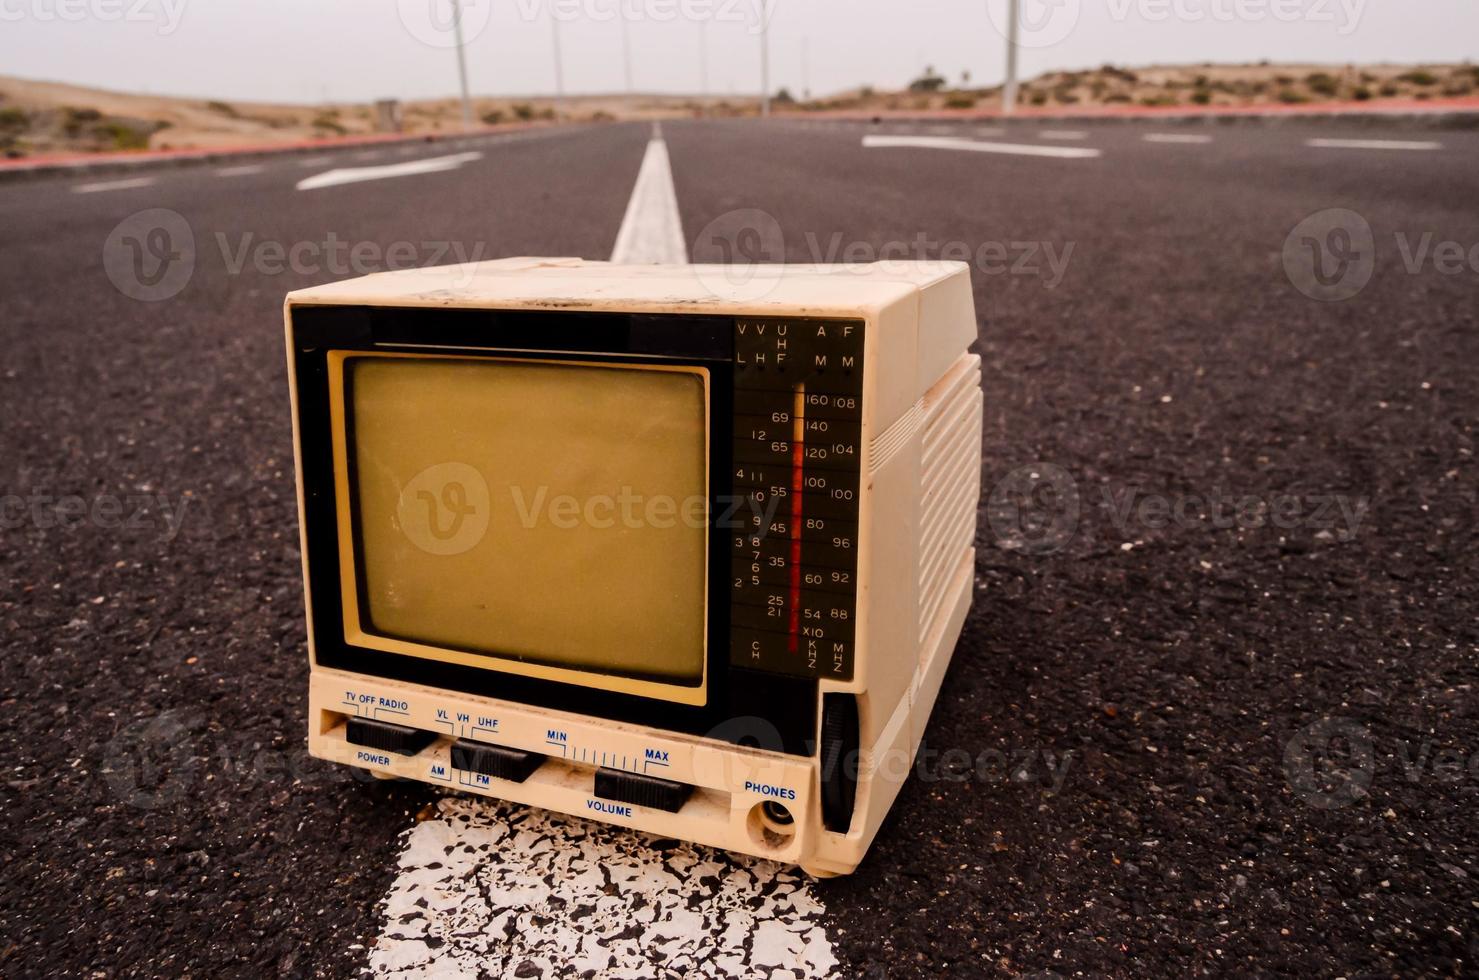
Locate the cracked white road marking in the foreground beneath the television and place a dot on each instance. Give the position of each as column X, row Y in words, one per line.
column 501, row 891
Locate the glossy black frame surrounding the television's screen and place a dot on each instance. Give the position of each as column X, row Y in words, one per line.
column 749, row 707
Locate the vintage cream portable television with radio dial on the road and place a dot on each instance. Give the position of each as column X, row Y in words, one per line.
column 644, row 545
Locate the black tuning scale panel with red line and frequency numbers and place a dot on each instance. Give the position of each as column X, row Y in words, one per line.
column 796, row 480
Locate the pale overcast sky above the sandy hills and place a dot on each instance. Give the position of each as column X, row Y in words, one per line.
column 307, row 51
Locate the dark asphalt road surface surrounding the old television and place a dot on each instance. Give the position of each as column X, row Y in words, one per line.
column 1214, row 712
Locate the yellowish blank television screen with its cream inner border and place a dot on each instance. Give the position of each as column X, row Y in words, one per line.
column 527, row 514
